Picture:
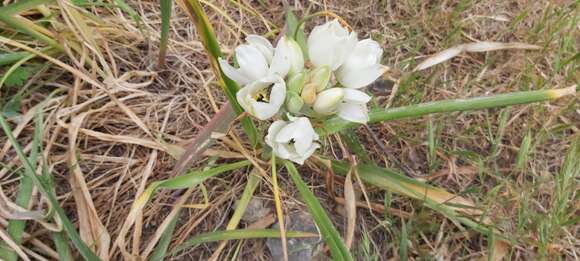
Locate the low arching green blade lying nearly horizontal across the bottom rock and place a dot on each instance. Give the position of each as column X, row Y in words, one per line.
column 237, row 234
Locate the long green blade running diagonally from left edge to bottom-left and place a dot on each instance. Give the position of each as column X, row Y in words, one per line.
column 46, row 191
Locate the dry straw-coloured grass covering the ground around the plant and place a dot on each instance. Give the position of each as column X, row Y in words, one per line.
column 123, row 129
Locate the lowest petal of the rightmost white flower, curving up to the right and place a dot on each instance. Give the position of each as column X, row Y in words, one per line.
column 361, row 77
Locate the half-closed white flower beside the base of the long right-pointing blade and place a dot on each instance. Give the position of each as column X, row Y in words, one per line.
column 349, row 104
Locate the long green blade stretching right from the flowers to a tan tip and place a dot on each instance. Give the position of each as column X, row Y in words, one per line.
column 337, row 124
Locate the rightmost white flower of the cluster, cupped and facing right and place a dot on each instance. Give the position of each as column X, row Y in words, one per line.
column 362, row 66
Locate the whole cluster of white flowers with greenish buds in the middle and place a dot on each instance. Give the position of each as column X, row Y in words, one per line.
column 280, row 79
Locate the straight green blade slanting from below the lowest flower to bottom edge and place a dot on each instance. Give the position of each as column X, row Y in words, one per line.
column 338, row 249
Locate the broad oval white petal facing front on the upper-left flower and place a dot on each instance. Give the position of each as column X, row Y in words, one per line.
column 252, row 63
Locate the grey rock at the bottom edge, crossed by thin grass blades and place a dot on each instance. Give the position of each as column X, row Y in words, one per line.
column 299, row 249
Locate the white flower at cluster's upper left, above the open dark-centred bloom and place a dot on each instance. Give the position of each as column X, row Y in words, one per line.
column 257, row 58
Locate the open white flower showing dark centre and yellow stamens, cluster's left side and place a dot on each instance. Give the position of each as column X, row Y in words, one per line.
column 264, row 97
